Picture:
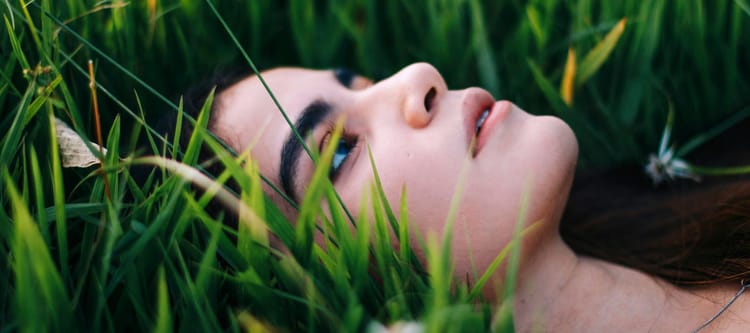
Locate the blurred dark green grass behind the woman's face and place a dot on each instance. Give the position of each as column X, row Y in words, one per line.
column 692, row 53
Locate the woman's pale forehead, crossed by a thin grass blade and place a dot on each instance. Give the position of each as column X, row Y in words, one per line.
column 247, row 116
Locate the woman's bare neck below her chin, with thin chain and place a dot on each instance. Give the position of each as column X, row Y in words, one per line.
column 560, row 291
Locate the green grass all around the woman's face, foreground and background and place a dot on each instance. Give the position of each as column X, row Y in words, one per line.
column 89, row 249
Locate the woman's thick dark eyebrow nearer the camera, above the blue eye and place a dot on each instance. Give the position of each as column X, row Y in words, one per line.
column 312, row 115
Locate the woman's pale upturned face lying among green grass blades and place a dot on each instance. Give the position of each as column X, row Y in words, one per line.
column 422, row 139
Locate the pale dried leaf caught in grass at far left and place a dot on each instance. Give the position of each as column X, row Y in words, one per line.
column 74, row 152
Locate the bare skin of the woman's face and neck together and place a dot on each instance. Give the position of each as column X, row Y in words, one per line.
column 427, row 138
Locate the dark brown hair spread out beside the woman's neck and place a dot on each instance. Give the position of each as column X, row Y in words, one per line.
column 684, row 232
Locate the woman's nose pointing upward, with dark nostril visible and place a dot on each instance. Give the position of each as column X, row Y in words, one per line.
column 420, row 87
